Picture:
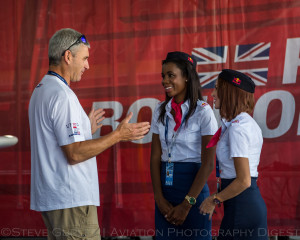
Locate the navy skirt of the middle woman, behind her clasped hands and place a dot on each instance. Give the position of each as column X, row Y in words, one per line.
column 196, row 225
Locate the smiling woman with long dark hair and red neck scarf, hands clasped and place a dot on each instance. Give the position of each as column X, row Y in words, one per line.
column 182, row 126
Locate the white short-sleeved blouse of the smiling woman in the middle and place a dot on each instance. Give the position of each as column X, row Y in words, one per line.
column 187, row 146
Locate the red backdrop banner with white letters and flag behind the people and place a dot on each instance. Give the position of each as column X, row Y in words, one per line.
column 129, row 38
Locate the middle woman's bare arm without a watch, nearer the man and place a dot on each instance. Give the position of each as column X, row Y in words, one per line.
column 155, row 163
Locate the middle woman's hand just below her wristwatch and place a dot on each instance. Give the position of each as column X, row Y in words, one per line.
column 179, row 213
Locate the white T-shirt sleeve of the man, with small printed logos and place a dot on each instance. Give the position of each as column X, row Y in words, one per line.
column 67, row 121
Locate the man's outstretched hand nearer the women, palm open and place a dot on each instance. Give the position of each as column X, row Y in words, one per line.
column 132, row 131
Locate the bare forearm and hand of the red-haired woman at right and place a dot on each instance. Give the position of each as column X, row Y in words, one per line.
column 240, row 184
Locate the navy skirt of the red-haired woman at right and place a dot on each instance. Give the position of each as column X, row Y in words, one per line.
column 245, row 216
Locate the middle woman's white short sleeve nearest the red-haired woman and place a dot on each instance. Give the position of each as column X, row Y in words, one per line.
column 208, row 122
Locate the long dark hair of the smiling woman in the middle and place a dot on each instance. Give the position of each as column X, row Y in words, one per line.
column 193, row 89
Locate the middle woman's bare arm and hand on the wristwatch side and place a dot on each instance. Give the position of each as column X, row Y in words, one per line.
column 180, row 212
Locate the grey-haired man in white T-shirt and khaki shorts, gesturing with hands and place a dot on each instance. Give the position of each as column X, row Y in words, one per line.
column 64, row 177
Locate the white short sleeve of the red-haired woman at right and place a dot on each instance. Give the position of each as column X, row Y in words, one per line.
column 238, row 141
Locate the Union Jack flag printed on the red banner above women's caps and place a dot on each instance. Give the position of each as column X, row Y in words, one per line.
column 251, row 59
